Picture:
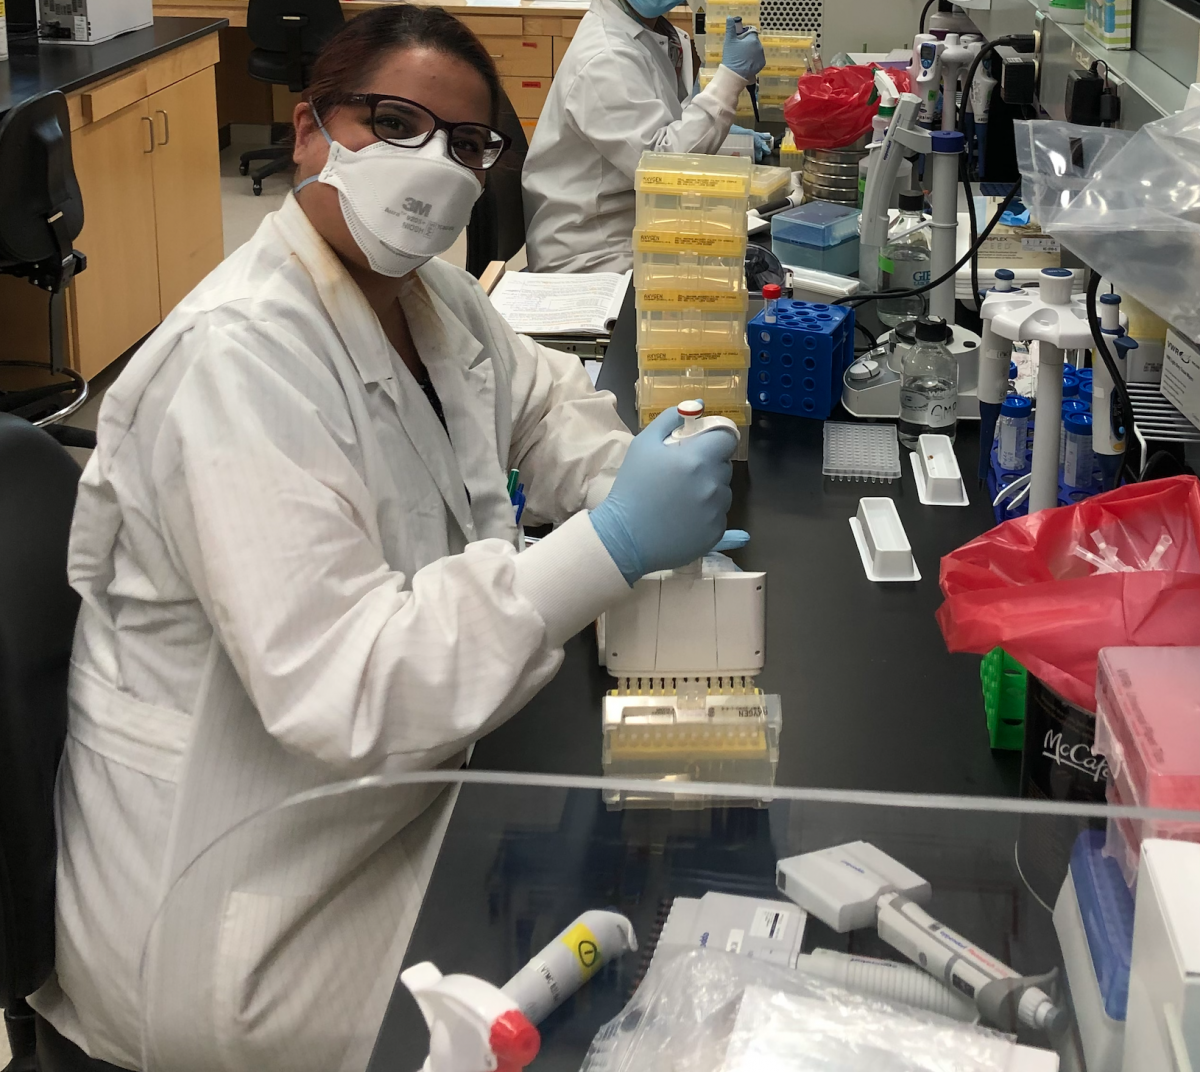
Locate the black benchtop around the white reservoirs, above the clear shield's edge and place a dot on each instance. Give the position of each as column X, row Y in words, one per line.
column 871, row 697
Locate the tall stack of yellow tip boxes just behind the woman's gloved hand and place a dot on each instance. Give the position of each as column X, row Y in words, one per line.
column 689, row 277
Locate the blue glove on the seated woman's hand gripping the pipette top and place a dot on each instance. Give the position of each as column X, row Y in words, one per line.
column 668, row 505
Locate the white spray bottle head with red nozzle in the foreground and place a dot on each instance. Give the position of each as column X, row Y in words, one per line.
column 473, row 1026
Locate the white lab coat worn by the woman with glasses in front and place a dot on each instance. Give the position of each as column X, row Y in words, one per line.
column 290, row 577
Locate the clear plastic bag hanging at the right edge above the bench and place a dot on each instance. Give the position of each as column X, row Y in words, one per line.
column 1126, row 205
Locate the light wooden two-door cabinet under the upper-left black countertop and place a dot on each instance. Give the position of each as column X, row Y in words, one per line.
column 146, row 153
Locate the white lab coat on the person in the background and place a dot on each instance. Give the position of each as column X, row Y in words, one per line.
column 615, row 97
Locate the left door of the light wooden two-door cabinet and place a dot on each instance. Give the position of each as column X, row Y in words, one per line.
column 116, row 302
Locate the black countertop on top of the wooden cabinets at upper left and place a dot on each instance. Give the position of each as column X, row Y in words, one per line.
column 68, row 68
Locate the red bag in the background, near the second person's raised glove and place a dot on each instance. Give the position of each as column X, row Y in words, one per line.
column 836, row 107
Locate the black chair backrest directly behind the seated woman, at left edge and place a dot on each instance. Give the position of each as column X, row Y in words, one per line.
column 38, row 615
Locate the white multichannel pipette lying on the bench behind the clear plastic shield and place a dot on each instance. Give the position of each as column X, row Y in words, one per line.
column 853, row 887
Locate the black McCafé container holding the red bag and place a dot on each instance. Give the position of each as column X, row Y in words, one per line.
column 1058, row 765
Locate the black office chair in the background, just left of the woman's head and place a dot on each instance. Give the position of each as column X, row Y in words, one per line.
column 287, row 37
